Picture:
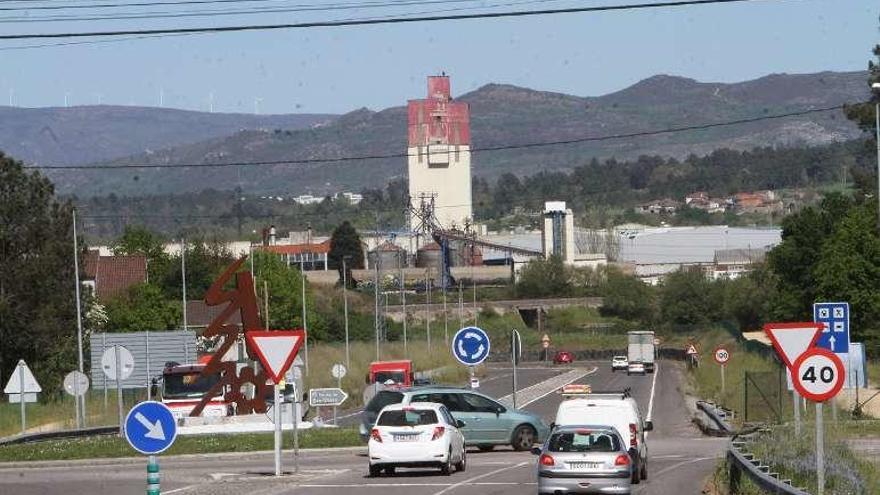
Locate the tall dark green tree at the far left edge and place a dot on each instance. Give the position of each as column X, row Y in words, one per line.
column 37, row 300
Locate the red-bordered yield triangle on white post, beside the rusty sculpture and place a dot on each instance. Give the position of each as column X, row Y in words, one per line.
column 276, row 350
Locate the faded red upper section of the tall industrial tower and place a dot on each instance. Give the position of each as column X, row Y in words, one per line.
column 437, row 119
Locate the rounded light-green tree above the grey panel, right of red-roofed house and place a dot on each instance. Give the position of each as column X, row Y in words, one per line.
column 143, row 307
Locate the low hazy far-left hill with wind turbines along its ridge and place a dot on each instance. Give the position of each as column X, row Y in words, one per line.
column 86, row 134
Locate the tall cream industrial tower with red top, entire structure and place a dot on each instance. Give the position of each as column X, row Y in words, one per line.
column 439, row 157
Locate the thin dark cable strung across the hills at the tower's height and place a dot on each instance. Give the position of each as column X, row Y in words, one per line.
column 311, row 161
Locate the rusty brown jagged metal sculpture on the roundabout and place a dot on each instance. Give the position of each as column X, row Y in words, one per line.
column 242, row 298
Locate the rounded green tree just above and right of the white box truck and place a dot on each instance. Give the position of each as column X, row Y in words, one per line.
column 687, row 298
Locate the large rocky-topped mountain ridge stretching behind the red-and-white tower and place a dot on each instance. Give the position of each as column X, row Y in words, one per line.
column 504, row 114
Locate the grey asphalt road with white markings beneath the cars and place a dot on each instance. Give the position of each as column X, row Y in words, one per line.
column 679, row 458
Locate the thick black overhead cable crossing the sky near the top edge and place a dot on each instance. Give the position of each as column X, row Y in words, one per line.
column 366, row 22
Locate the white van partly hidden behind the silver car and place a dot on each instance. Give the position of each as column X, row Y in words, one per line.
column 617, row 410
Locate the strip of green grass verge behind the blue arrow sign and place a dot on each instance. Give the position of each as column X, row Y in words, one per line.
column 113, row 446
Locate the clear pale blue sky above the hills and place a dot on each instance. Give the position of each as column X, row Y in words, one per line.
column 336, row 70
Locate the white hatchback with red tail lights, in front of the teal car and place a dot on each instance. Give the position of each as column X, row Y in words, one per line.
column 422, row 434
